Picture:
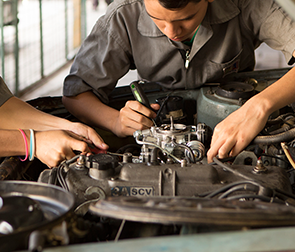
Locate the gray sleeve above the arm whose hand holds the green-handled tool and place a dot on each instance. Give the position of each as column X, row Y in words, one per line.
column 101, row 61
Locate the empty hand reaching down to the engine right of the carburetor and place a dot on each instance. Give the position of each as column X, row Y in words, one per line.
column 236, row 131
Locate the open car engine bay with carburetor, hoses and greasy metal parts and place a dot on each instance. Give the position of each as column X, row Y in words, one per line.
column 158, row 182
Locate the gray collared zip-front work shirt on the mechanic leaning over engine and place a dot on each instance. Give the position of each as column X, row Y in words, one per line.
column 126, row 38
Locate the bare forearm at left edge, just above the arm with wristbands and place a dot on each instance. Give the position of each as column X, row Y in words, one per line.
column 17, row 114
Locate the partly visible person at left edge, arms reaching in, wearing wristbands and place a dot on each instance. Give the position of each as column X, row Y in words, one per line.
column 26, row 131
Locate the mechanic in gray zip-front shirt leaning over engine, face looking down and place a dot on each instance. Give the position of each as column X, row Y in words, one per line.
column 180, row 44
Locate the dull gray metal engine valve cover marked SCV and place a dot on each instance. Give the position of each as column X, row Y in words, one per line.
column 138, row 179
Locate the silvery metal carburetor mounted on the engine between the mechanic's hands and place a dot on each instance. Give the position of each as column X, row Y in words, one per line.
column 177, row 142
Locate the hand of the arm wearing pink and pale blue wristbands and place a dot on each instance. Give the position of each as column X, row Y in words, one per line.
column 54, row 146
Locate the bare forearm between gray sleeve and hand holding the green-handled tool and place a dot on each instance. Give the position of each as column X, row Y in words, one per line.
column 90, row 110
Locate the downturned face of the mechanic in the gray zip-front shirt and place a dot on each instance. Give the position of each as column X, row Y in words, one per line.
column 177, row 24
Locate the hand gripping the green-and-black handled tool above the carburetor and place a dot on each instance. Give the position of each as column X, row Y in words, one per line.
column 134, row 116
